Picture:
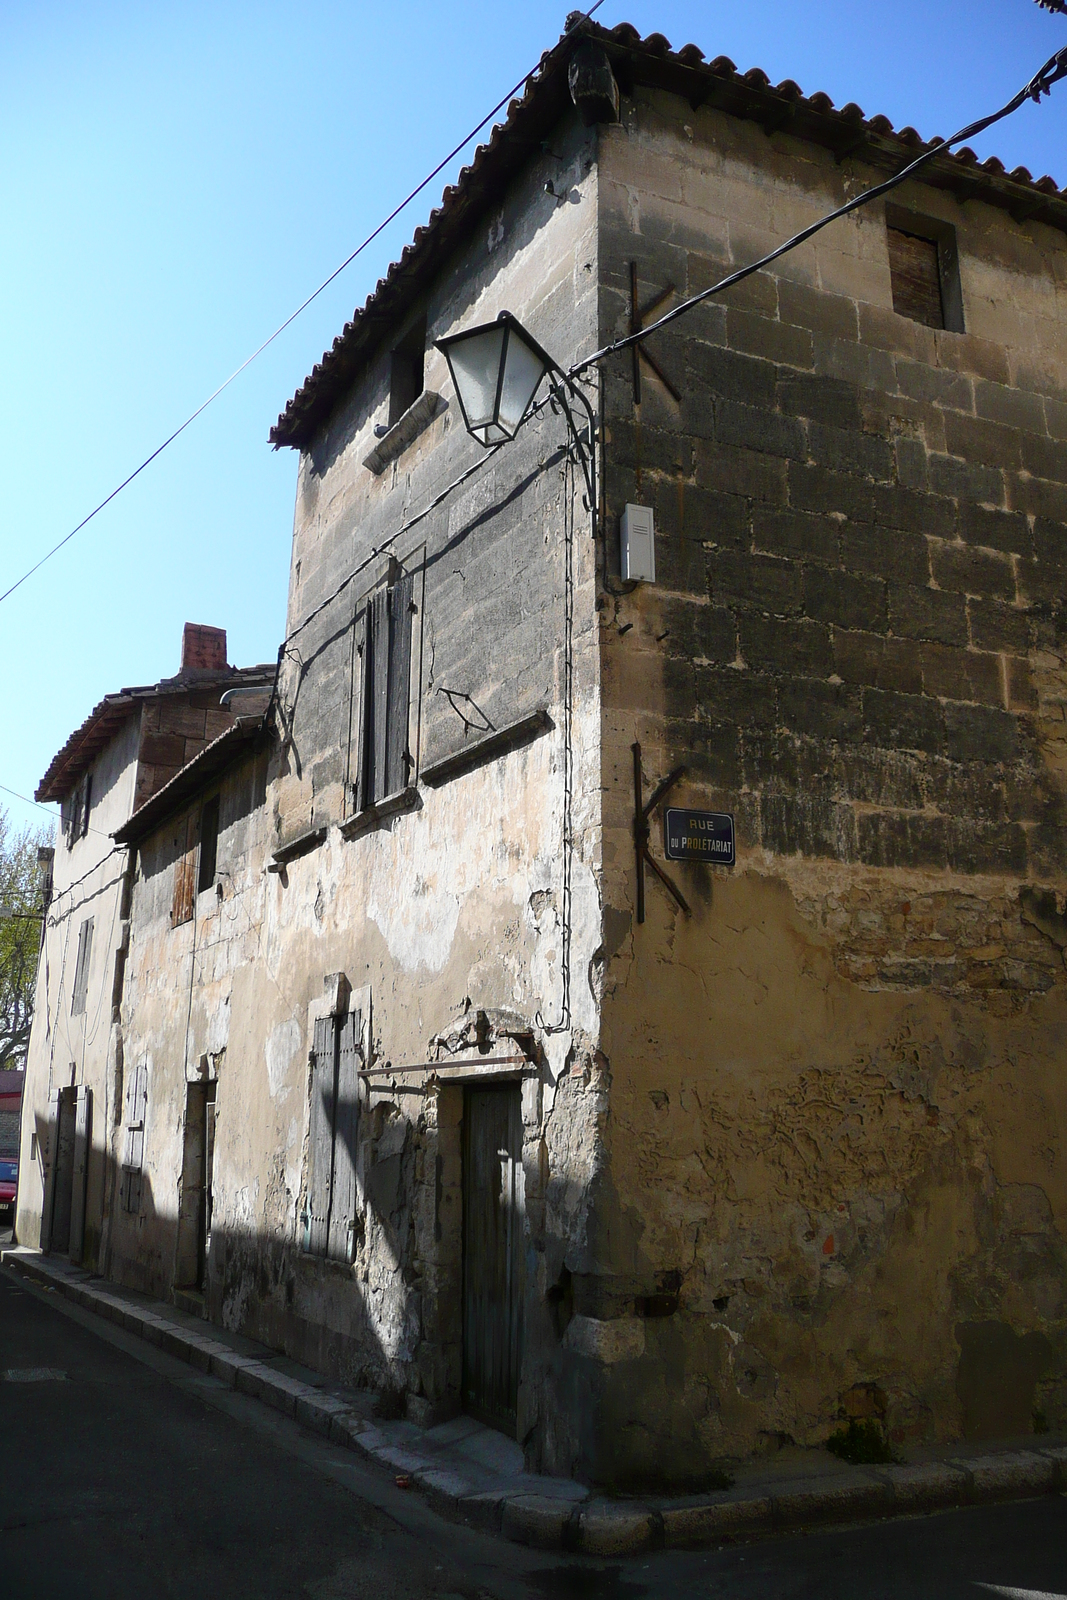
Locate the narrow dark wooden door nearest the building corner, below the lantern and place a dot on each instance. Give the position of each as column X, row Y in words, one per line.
column 494, row 1254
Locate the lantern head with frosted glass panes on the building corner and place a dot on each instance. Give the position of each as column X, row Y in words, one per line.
column 497, row 370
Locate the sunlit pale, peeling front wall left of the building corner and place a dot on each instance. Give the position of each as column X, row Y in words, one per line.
column 439, row 913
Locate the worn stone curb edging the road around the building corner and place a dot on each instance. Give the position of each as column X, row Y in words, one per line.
column 594, row 1527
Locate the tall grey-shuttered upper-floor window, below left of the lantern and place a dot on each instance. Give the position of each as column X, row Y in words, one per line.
column 385, row 761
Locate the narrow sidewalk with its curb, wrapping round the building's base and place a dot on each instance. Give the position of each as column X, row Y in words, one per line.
column 478, row 1474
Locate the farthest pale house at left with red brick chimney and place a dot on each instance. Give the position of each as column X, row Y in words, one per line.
column 129, row 748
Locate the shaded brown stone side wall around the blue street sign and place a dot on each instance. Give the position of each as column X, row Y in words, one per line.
column 836, row 1092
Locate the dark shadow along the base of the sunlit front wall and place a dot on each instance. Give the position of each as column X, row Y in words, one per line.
column 345, row 1319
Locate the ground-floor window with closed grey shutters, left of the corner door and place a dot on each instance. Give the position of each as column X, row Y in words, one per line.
column 335, row 1116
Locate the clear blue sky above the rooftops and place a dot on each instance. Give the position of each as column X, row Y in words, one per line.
column 177, row 178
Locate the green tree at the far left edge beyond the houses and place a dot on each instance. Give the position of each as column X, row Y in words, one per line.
column 20, row 935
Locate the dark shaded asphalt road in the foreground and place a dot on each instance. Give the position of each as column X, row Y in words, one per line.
column 127, row 1474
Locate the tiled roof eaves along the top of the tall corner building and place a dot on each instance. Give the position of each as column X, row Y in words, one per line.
column 650, row 63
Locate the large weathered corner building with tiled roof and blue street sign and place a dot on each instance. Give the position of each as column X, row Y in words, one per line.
column 425, row 1102
